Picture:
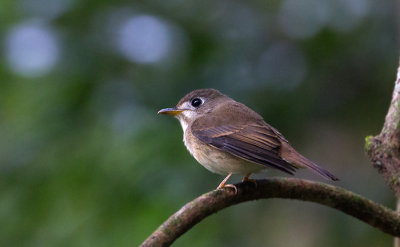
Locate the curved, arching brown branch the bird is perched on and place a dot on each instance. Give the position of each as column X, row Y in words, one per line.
column 348, row 202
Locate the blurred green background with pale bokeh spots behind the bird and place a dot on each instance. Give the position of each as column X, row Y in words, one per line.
column 86, row 161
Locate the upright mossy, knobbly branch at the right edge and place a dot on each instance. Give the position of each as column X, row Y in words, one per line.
column 384, row 149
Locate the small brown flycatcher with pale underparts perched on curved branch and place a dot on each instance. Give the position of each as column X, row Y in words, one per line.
column 227, row 137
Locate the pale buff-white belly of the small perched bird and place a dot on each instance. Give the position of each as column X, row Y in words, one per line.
column 218, row 161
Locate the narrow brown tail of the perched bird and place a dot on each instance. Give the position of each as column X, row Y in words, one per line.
column 293, row 157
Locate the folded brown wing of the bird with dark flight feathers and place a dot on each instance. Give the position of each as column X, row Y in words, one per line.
column 257, row 142
